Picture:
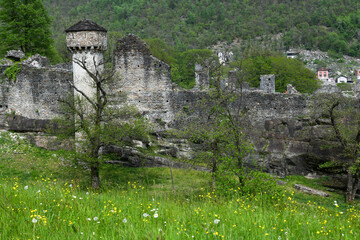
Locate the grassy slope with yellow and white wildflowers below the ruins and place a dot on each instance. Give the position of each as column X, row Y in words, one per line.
column 35, row 186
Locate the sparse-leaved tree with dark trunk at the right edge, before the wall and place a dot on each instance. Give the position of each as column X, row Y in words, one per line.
column 344, row 116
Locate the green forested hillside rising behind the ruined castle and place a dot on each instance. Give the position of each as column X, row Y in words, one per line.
column 313, row 24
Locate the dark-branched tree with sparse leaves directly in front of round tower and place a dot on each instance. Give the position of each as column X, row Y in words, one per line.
column 99, row 120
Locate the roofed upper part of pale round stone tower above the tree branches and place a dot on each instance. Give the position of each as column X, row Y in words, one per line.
column 87, row 42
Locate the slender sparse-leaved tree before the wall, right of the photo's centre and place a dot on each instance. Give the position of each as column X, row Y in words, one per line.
column 216, row 126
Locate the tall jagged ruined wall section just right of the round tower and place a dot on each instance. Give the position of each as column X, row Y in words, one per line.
column 145, row 79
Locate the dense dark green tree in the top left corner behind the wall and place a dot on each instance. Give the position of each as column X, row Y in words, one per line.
column 25, row 25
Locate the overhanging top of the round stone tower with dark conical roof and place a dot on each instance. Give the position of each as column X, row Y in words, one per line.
column 86, row 35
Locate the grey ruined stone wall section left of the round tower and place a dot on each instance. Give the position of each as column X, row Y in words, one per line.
column 28, row 103
